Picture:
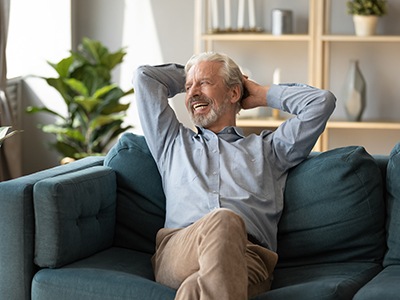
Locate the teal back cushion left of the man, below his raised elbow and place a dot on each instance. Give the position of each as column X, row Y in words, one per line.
column 140, row 197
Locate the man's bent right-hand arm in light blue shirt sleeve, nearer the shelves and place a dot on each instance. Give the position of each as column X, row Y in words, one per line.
column 312, row 107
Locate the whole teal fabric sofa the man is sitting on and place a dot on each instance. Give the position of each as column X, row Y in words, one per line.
column 86, row 230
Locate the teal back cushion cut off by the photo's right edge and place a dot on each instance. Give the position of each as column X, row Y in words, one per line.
column 393, row 208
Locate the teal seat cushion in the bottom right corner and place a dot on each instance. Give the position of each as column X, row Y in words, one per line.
column 384, row 286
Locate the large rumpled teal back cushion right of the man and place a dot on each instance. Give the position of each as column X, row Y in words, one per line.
column 334, row 210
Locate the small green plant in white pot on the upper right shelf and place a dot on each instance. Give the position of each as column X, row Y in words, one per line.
column 365, row 15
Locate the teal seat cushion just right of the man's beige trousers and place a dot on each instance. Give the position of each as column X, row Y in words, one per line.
column 335, row 281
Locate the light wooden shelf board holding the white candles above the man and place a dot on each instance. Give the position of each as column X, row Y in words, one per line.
column 254, row 37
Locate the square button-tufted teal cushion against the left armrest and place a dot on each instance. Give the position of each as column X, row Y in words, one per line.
column 74, row 215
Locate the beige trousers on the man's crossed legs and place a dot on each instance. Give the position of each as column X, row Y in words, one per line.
column 212, row 259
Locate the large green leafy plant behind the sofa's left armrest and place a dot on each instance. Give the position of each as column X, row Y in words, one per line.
column 94, row 111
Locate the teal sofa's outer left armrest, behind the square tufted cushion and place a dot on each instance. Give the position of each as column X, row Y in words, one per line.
column 17, row 228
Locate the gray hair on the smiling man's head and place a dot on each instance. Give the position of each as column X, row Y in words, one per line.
column 230, row 71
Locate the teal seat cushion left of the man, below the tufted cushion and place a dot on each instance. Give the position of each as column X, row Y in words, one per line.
column 115, row 273
